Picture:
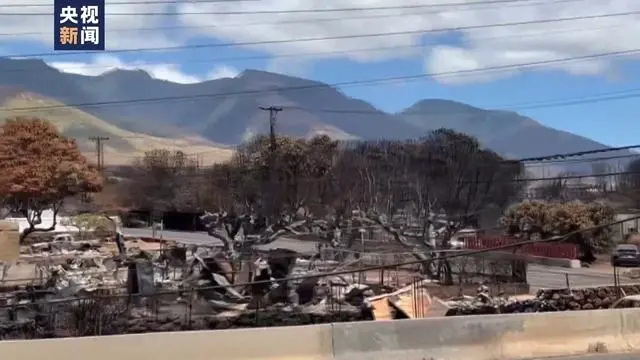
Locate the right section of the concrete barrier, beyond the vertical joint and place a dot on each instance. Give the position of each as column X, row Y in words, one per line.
column 490, row 337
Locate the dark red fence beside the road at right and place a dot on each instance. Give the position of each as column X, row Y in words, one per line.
column 551, row 250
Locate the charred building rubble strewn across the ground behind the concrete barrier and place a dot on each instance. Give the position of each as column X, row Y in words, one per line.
column 243, row 278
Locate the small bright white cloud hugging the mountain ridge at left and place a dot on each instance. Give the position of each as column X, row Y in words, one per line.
column 169, row 72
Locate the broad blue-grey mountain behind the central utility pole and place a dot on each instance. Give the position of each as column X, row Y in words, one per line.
column 228, row 110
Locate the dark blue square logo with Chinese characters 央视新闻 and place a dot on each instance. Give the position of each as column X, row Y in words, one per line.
column 78, row 25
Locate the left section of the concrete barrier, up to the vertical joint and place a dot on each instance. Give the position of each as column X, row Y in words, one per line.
column 282, row 343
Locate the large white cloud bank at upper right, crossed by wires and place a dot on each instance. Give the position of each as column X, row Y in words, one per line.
column 480, row 48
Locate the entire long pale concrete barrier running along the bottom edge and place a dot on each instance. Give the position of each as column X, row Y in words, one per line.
column 508, row 337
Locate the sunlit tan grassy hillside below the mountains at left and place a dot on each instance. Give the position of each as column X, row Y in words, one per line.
column 122, row 147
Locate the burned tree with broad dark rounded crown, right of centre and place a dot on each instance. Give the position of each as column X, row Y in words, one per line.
column 440, row 184
